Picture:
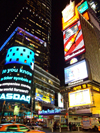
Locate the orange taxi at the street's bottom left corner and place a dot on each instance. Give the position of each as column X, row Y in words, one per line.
column 17, row 127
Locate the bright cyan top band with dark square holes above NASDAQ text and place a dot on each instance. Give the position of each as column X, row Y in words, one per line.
column 20, row 55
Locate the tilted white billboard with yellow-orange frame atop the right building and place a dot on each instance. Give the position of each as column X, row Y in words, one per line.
column 69, row 15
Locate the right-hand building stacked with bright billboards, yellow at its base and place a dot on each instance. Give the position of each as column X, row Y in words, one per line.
column 82, row 93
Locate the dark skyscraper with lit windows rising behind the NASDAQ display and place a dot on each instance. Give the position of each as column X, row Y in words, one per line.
column 34, row 17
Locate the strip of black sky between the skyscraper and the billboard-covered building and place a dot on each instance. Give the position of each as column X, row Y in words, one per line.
column 57, row 56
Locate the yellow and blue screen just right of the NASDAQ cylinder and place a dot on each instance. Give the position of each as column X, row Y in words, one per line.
column 47, row 97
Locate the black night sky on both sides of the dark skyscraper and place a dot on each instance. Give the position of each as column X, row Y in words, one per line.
column 57, row 59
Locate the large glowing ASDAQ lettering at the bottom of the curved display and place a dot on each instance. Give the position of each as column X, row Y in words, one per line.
column 13, row 96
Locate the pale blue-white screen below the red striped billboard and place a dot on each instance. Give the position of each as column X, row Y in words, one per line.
column 76, row 72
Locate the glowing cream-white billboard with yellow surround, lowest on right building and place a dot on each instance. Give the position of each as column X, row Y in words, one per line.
column 80, row 98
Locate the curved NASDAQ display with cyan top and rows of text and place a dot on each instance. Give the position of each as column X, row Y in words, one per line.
column 17, row 75
